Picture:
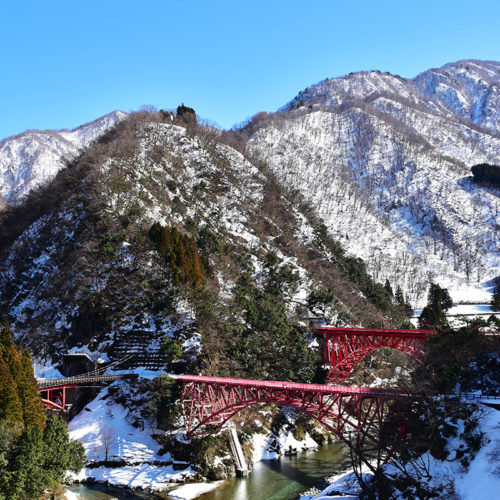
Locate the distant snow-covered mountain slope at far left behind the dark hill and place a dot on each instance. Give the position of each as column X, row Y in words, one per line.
column 32, row 158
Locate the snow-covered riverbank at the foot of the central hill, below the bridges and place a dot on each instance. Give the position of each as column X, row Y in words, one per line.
column 120, row 453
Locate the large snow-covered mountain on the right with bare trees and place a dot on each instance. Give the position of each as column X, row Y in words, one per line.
column 386, row 162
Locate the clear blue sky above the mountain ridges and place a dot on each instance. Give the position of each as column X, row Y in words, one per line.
column 68, row 62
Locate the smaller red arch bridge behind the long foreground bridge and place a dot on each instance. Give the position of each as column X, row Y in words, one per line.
column 346, row 347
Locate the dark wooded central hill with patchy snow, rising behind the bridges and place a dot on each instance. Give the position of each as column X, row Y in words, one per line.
column 162, row 230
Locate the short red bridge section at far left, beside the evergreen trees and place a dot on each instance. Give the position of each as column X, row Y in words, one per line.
column 54, row 391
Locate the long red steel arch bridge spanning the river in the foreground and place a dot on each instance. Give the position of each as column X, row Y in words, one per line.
column 361, row 417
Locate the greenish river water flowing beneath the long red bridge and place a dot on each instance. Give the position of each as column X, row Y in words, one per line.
column 283, row 479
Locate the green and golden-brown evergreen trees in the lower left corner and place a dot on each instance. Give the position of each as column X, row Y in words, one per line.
column 35, row 449
